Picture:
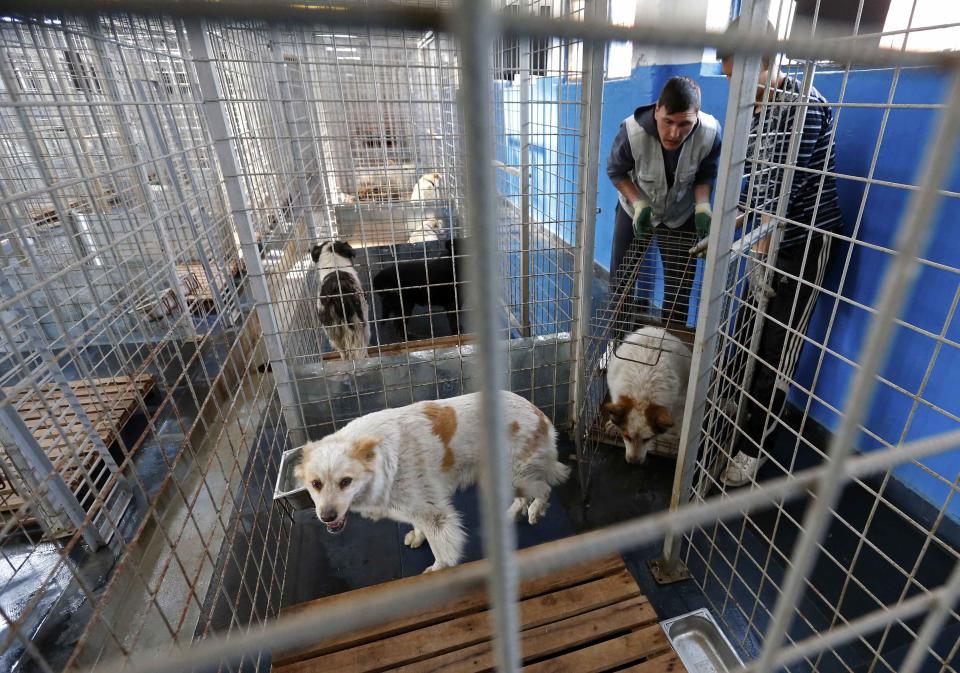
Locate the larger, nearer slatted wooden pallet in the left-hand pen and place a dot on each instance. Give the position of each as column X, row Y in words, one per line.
column 120, row 398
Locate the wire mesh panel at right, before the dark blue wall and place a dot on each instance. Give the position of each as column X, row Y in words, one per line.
column 777, row 342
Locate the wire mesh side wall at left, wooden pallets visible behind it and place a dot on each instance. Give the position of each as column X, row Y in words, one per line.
column 136, row 448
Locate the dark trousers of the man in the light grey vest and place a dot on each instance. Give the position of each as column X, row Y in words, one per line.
column 679, row 269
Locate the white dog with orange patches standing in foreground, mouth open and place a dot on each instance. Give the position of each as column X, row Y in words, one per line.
column 405, row 464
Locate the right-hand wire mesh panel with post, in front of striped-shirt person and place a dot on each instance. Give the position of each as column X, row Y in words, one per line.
column 802, row 572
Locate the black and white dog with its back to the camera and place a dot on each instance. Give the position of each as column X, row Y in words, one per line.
column 340, row 301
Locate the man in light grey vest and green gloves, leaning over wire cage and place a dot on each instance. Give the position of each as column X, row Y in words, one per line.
column 663, row 163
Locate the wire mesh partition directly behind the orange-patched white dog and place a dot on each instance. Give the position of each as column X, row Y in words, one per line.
column 355, row 118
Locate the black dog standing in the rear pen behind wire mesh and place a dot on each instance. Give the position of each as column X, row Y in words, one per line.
column 432, row 282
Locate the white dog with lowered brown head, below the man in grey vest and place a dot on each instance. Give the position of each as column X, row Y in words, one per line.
column 647, row 379
